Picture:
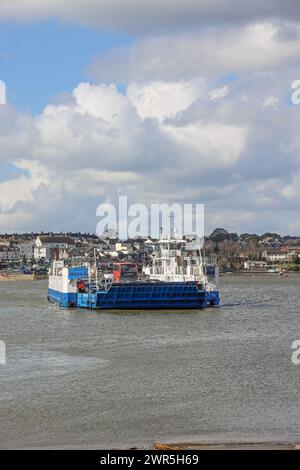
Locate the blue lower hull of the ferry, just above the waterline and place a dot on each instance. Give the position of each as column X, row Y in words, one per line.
column 142, row 296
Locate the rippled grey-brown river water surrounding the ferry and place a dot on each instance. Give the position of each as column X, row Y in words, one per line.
column 110, row 380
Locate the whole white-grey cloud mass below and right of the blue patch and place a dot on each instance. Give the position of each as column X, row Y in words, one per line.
column 171, row 136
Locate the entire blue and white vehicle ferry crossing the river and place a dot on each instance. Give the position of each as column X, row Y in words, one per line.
column 176, row 278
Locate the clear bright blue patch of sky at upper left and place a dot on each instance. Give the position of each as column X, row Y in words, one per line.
column 40, row 61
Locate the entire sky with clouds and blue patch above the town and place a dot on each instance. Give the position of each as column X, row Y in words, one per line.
column 174, row 101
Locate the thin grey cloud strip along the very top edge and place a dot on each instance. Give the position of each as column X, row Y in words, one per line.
column 142, row 15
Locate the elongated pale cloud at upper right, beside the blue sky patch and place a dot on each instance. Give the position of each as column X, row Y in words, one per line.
column 221, row 50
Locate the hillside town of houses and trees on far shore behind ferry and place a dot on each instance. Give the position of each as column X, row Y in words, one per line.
column 33, row 252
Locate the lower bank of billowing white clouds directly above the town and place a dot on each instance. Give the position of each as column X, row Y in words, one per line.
column 179, row 146
